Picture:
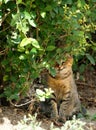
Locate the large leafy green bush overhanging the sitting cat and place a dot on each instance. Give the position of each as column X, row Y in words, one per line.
column 35, row 34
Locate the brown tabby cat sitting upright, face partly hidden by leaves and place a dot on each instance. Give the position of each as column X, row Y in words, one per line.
column 65, row 101
